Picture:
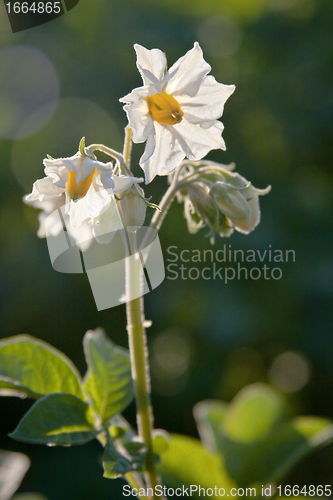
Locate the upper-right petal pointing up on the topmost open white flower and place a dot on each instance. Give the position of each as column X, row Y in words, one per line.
column 186, row 75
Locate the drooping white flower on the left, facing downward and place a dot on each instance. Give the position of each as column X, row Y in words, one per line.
column 85, row 188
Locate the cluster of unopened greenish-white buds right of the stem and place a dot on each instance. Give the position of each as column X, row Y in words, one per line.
column 215, row 196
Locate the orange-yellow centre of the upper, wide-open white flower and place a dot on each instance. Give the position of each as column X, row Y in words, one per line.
column 164, row 108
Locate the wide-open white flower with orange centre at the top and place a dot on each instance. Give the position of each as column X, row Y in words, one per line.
column 175, row 111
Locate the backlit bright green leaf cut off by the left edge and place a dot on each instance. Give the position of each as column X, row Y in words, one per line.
column 32, row 368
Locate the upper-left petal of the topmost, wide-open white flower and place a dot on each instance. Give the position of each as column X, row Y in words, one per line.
column 150, row 63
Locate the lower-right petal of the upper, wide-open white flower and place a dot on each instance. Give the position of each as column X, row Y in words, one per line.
column 197, row 141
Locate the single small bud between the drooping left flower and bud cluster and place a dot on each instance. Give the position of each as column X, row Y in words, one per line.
column 132, row 209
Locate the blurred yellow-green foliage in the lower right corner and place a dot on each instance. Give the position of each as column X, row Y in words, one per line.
column 253, row 435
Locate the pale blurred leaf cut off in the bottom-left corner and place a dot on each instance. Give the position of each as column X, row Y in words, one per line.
column 13, row 467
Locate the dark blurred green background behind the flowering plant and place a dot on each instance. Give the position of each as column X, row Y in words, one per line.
column 208, row 339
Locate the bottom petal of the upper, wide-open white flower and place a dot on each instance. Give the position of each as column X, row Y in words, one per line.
column 163, row 153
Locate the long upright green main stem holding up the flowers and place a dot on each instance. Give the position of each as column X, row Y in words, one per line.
column 138, row 348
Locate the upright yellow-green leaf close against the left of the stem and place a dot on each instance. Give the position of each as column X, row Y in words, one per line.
column 108, row 380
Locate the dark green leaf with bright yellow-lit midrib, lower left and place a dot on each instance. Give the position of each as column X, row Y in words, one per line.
column 57, row 419
